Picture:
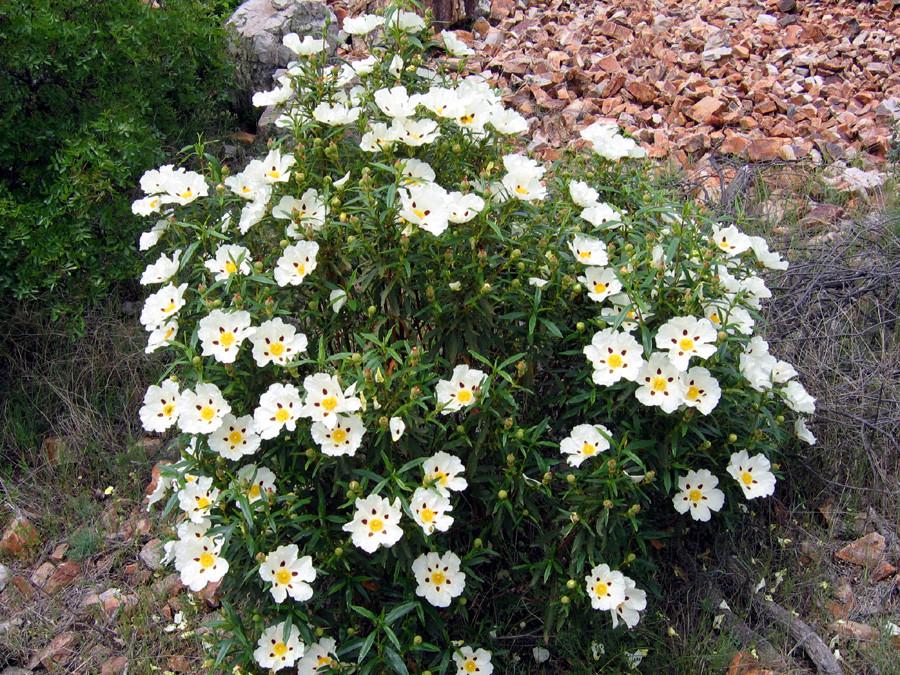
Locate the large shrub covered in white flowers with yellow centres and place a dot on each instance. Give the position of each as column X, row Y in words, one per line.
column 429, row 387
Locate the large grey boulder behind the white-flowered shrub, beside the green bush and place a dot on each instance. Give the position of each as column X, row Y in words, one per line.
column 257, row 28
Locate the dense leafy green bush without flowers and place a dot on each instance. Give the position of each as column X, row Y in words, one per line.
column 91, row 94
